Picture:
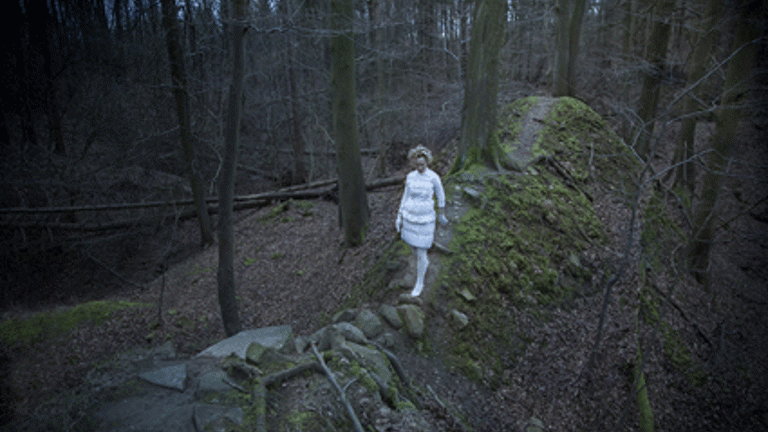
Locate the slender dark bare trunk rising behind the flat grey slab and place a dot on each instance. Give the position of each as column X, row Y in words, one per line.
column 226, row 274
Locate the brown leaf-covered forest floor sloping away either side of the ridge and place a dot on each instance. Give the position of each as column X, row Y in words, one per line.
column 292, row 269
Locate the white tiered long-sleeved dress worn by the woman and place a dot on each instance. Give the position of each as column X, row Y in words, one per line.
column 418, row 208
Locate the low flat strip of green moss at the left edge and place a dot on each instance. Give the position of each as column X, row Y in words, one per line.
column 43, row 325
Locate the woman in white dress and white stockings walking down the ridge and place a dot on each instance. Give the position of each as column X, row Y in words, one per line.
column 416, row 216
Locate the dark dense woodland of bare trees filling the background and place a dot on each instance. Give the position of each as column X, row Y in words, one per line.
column 90, row 120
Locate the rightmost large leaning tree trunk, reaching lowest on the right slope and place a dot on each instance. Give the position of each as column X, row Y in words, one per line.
column 726, row 120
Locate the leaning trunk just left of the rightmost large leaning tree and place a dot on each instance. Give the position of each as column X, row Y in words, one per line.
column 685, row 174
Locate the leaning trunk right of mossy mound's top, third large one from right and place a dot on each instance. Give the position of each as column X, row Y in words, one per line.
column 654, row 70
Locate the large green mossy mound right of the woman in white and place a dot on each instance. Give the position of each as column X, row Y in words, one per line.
column 524, row 244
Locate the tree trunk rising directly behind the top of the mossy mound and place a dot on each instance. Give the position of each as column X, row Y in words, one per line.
column 568, row 33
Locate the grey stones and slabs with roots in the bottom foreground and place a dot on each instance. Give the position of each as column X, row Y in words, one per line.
column 226, row 385
